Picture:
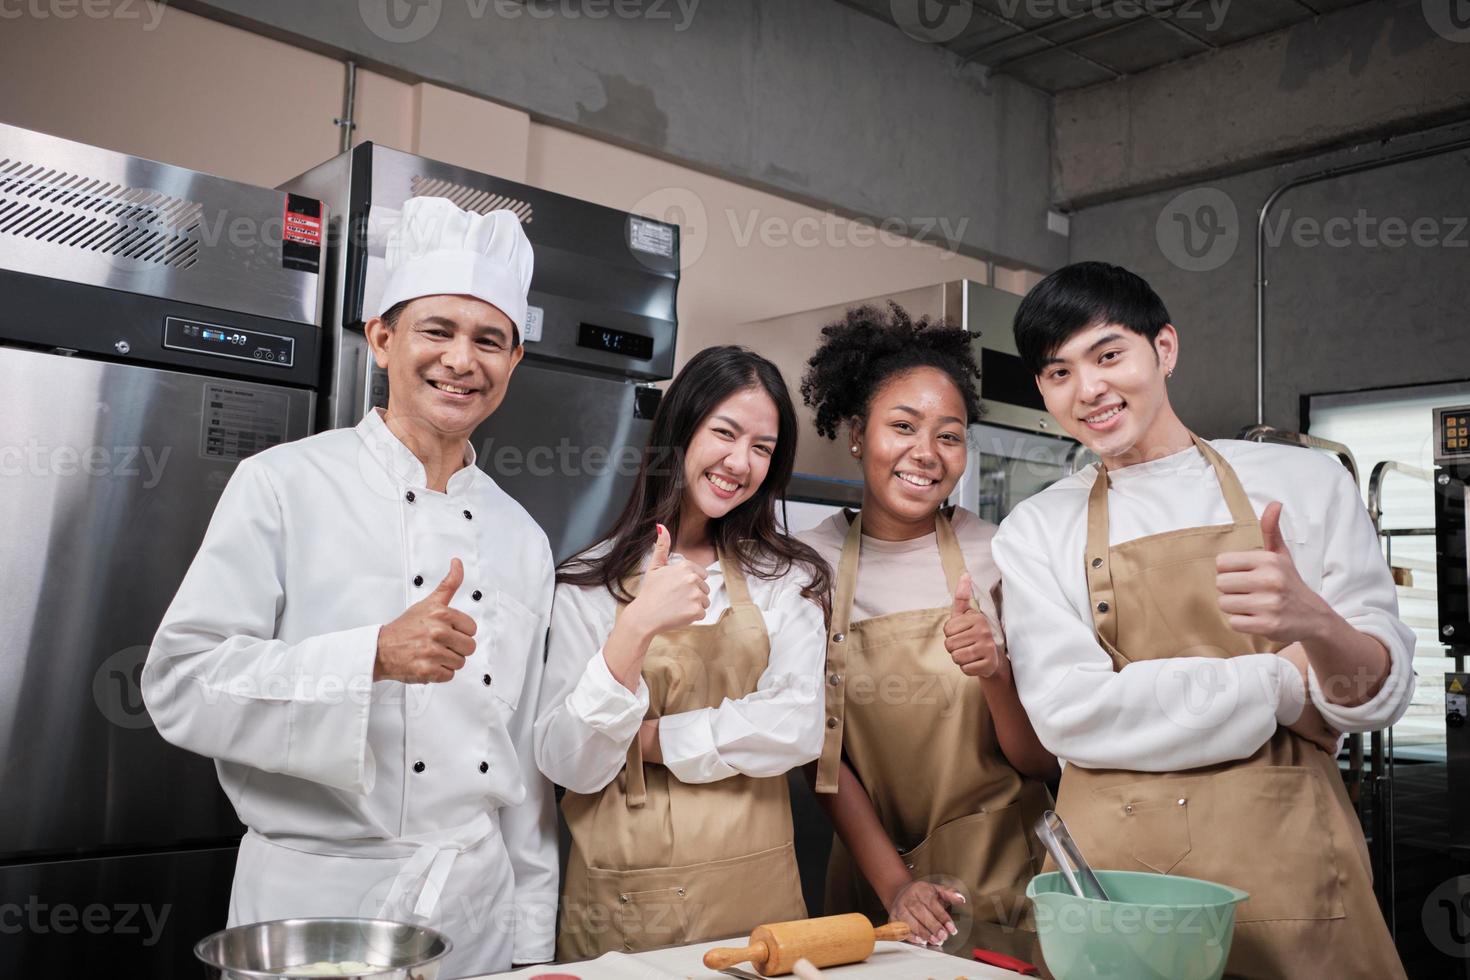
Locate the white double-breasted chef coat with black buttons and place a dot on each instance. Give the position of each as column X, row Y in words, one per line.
column 265, row 662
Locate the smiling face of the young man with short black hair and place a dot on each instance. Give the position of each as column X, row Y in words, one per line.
column 1106, row 387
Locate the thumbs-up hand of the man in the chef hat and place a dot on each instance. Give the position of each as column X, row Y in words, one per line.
column 430, row 641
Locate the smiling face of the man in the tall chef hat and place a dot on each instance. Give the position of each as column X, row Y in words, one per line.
column 449, row 361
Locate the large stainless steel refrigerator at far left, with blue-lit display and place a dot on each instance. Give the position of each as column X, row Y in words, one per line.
column 157, row 327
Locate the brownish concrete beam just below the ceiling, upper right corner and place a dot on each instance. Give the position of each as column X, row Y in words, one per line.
column 1368, row 71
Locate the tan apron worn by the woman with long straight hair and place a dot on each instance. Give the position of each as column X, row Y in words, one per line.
column 656, row 862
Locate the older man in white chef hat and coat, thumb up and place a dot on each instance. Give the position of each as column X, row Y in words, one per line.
column 359, row 641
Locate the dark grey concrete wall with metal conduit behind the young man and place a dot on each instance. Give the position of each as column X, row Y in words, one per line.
column 1369, row 283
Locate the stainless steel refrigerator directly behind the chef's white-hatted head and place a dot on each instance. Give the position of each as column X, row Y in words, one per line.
column 570, row 436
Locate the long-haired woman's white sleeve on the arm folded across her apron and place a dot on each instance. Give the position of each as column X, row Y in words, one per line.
column 775, row 728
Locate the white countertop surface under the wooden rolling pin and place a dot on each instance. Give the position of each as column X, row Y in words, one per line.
column 890, row 962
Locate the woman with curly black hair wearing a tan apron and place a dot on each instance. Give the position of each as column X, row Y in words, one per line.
column 931, row 771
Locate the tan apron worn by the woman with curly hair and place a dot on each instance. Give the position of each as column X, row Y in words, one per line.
column 918, row 734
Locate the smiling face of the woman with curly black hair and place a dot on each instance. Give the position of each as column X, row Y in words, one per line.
column 912, row 446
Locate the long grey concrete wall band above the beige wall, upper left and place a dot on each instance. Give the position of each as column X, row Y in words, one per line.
column 803, row 98
